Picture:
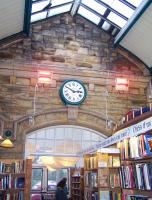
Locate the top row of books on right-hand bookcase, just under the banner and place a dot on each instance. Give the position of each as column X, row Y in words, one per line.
column 136, row 147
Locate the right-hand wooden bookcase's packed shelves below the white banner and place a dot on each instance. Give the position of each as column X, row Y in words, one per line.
column 136, row 167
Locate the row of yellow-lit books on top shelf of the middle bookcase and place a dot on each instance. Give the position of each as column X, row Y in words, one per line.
column 101, row 160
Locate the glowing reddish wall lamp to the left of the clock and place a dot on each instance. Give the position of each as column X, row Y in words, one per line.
column 45, row 77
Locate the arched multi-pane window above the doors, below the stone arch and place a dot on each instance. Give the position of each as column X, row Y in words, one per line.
column 64, row 140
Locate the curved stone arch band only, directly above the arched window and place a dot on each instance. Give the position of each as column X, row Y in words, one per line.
column 95, row 121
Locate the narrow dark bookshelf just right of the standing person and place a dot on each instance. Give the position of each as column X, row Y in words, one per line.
column 77, row 186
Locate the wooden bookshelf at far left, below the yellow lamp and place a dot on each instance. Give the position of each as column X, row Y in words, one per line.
column 15, row 179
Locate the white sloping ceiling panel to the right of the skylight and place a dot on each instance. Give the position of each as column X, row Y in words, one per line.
column 139, row 38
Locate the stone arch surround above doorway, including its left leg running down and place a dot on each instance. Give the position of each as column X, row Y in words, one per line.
column 95, row 121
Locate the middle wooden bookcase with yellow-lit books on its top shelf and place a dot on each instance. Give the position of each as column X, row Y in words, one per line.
column 101, row 175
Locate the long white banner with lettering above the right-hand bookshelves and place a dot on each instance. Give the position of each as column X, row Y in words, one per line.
column 134, row 130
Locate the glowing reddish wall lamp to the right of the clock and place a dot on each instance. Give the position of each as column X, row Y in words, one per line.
column 122, row 84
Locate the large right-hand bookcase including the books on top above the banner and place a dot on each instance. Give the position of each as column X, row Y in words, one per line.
column 136, row 160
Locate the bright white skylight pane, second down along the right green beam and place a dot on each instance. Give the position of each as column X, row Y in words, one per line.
column 122, row 8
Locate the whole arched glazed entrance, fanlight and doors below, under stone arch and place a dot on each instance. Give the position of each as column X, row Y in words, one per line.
column 53, row 150
